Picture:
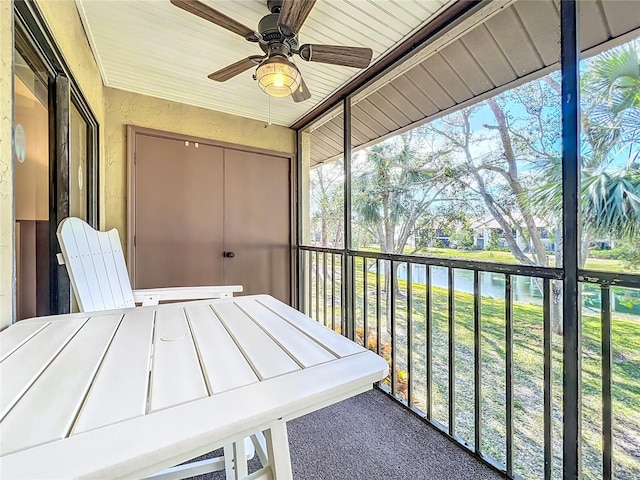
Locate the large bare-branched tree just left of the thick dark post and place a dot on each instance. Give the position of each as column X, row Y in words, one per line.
column 500, row 142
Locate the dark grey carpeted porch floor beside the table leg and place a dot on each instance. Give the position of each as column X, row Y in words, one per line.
column 372, row 437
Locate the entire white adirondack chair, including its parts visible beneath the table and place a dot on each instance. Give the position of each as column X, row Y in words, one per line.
column 99, row 278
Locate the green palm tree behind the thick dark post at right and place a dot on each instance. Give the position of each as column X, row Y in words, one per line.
column 610, row 172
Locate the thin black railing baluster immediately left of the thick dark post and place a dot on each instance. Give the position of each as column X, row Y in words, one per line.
column 548, row 408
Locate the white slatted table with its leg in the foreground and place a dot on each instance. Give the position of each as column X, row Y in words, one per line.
column 126, row 393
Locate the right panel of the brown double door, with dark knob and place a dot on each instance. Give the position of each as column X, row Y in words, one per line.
column 257, row 223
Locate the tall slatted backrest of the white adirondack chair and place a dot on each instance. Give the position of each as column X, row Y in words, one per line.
column 96, row 266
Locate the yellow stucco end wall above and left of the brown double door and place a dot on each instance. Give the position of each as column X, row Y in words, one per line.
column 126, row 108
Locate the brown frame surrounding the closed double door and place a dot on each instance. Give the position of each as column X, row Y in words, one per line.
column 134, row 130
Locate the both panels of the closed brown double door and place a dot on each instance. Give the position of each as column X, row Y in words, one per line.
column 194, row 204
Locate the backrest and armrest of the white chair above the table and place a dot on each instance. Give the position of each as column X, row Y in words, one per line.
column 98, row 273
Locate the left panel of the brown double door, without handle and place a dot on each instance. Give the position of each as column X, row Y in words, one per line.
column 179, row 190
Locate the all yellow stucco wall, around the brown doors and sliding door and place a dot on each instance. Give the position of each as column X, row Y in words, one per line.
column 114, row 110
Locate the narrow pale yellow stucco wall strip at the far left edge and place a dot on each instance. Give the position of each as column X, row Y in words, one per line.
column 7, row 284
